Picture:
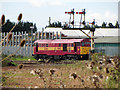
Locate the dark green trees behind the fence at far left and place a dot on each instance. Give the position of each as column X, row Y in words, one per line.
column 21, row 26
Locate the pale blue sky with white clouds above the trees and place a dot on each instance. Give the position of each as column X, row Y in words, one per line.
column 39, row 11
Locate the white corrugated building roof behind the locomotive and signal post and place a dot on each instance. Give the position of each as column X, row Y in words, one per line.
column 77, row 33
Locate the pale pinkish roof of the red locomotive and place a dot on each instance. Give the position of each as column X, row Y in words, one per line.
column 59, row 41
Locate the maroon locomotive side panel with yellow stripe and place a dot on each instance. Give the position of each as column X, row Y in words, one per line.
column 55, row 49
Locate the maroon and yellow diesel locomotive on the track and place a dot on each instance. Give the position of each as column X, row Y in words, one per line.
column 61, row 49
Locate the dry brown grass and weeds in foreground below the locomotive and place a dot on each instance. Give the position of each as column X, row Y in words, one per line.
column 100, row 72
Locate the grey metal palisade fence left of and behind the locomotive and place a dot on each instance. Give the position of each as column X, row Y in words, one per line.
column 12, row 46
